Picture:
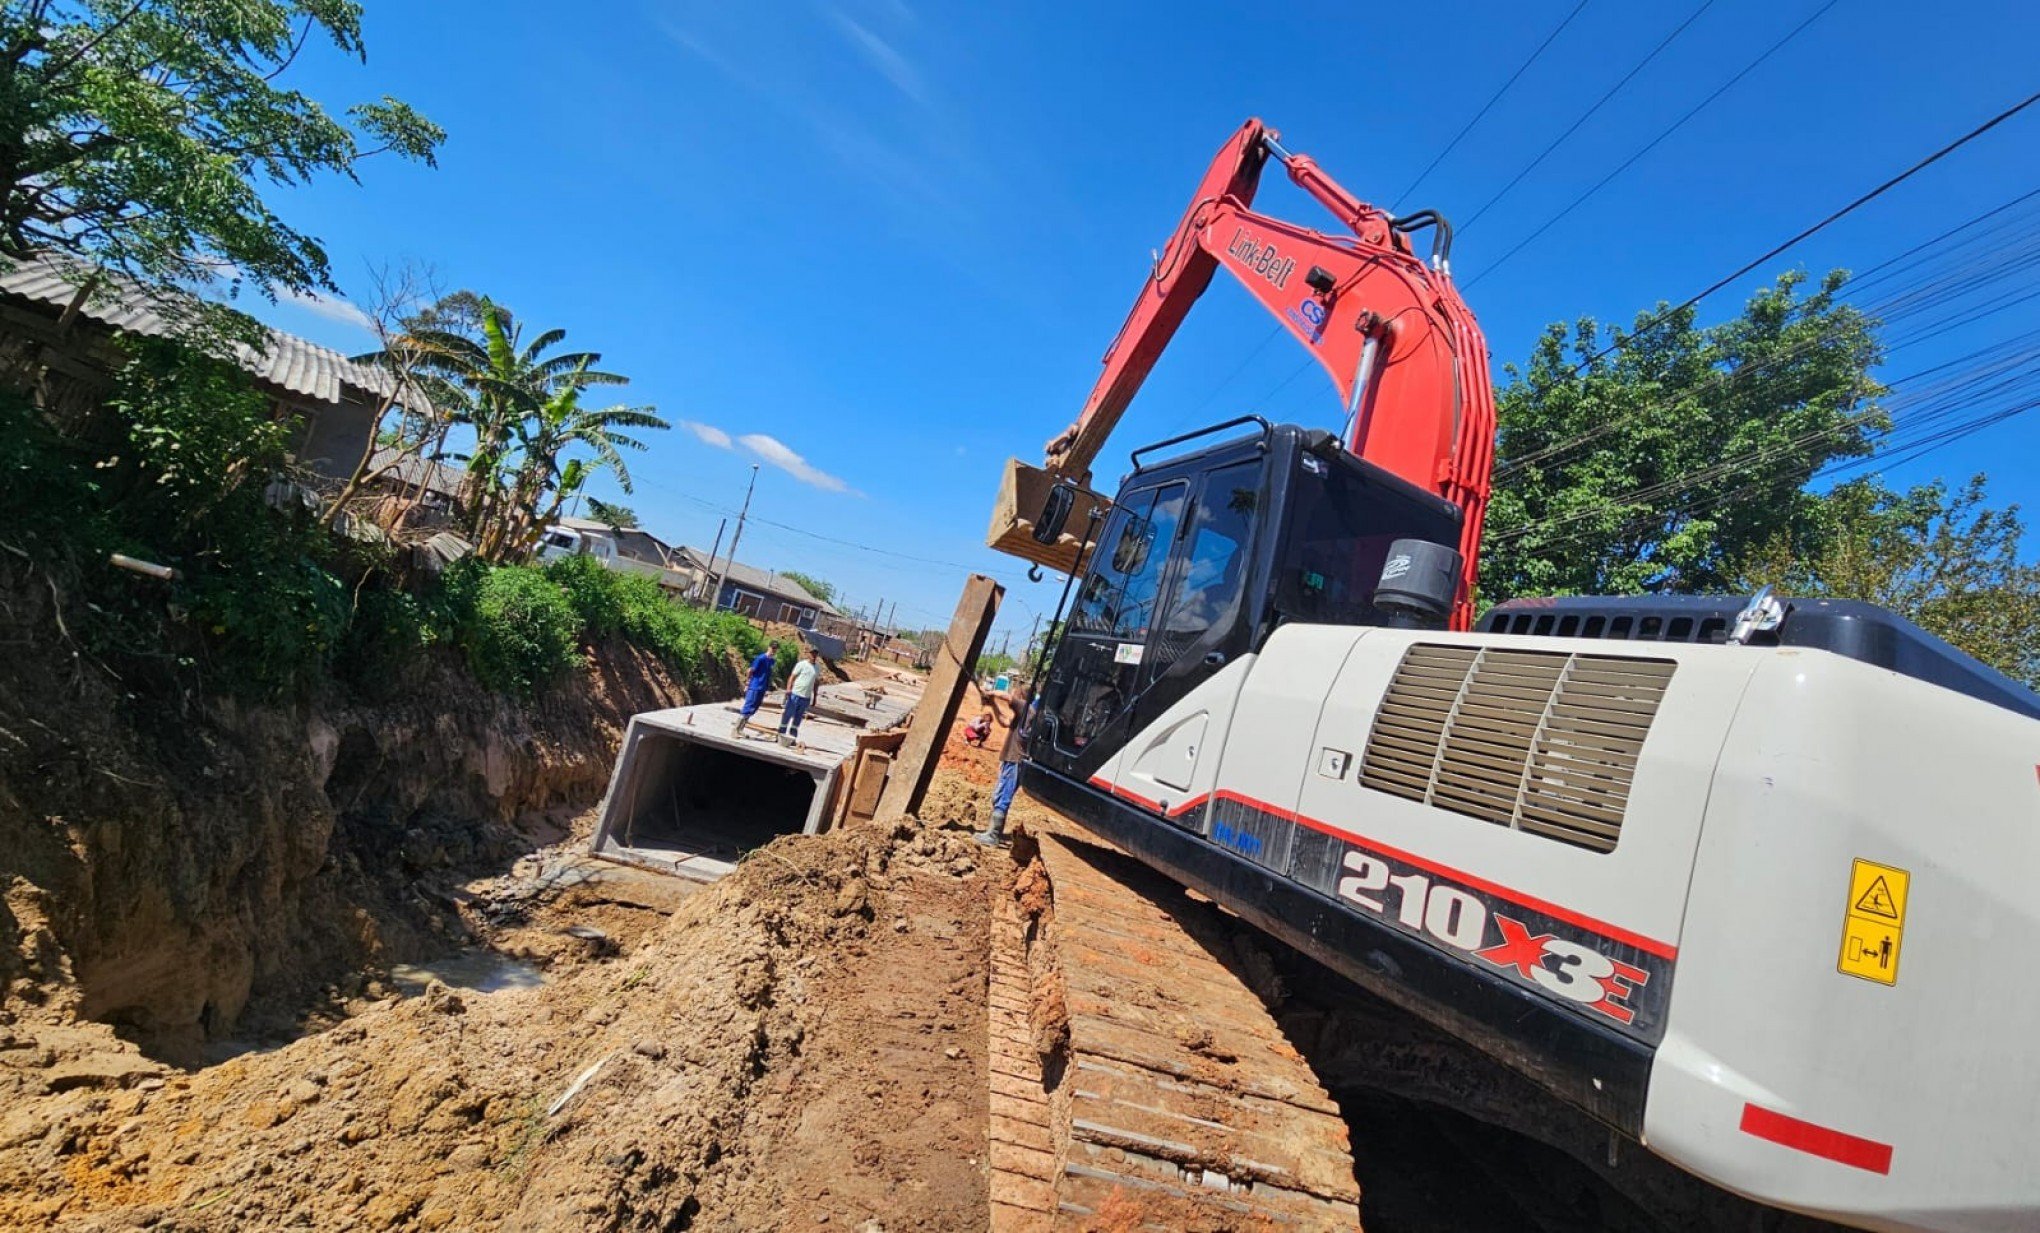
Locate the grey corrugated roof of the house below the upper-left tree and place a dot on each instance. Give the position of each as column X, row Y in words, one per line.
column 291, row 362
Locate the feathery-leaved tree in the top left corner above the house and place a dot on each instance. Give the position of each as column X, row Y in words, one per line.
column 138, row 134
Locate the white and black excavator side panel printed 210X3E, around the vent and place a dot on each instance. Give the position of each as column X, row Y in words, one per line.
column 1533, row 950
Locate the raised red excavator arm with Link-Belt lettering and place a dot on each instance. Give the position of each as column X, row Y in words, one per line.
column 1402, row 350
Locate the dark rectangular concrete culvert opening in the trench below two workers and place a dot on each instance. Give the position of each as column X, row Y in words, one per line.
column 691, row 799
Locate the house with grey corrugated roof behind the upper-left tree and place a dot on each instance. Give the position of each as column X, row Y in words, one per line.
column 50, row 326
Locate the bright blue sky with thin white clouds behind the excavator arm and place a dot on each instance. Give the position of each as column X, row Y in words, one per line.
column 880, row 246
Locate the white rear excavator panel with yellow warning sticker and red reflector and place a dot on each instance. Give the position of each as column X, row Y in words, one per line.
column 1902, row 1095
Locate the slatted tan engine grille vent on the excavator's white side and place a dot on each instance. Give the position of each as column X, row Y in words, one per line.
column 1533, row 740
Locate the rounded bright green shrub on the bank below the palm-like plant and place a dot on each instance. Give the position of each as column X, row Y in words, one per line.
column 517, row 630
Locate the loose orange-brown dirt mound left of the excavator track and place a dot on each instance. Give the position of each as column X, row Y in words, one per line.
column 801, row 1046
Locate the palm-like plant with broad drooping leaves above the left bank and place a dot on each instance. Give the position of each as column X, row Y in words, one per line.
column 523, row 405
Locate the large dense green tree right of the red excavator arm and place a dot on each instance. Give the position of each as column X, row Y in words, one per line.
column 1666, row 462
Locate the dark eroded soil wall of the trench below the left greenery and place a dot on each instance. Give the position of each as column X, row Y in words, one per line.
column 197, row 869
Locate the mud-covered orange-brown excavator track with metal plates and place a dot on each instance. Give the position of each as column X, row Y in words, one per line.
column 1137, row 1079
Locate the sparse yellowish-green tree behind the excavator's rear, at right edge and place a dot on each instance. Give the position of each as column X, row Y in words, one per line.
column 1941, row 558
